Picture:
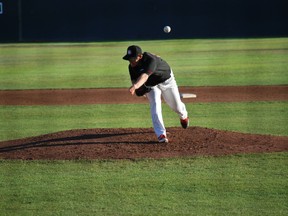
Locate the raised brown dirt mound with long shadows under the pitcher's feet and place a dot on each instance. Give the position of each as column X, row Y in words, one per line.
column 135, row 143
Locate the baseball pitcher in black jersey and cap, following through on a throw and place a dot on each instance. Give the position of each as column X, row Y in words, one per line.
column 152, row 76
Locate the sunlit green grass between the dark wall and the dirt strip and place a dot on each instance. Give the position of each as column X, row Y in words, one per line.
column 95, row 65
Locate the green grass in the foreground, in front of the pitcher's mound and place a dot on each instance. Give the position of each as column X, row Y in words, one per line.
column 231, row 185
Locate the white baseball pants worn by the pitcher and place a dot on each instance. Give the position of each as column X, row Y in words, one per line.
column 169, row 91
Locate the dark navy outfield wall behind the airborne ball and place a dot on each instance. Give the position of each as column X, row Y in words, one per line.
column 93, row 20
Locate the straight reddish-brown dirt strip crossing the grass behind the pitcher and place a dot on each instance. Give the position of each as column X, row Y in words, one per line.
column 121, row 96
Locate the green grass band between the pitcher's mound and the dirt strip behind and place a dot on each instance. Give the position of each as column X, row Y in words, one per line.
column 248, row 117
